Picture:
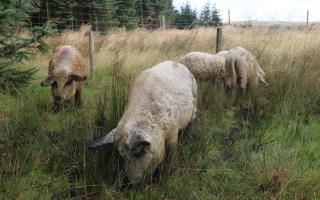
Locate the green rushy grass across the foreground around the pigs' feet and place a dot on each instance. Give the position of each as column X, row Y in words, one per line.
column 262, row 145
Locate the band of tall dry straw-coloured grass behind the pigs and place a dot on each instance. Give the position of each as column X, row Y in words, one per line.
column 144, row 47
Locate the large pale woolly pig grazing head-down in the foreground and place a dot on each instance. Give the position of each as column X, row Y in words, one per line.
column 162, row 100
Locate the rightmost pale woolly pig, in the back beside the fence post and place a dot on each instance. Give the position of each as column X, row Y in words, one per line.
column 242, row 68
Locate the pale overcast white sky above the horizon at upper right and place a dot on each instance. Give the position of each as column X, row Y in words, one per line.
column 264, row 10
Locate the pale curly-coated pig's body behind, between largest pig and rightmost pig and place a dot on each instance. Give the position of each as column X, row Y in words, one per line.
column 204, row 66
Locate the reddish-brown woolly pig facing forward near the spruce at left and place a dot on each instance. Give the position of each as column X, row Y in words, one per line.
column 66, row 75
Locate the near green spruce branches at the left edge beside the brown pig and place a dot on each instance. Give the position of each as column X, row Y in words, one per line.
column 15, row 48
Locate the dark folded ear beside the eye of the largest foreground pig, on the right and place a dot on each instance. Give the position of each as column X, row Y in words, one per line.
column 140, row 137
